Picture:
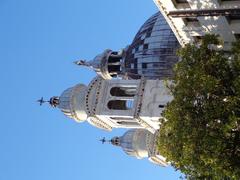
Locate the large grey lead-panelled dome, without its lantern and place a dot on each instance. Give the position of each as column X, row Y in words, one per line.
column 152, row 53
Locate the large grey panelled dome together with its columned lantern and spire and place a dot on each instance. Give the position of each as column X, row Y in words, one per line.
column 152, row 54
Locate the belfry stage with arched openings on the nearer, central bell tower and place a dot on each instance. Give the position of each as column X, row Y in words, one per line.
column 117, row 102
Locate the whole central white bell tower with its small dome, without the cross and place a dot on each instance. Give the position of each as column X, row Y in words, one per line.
column 117, row 103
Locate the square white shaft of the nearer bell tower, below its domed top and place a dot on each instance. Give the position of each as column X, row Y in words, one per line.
column 132, row 103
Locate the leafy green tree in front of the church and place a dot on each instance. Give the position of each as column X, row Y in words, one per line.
column 201, row 134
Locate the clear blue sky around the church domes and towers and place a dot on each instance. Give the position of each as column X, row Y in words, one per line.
column 38, row 42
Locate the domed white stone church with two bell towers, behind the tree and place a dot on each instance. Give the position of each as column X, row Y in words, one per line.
column 129, row 90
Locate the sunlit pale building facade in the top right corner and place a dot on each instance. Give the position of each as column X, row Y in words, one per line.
column 188, row 30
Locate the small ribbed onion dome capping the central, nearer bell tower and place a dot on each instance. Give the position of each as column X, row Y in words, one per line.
column 72, row 102
